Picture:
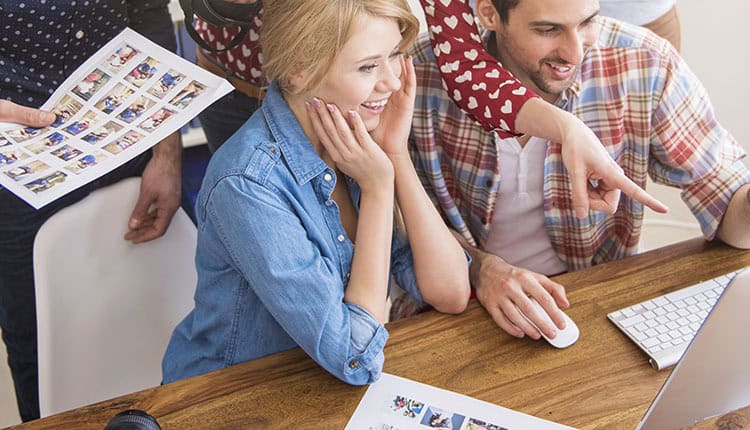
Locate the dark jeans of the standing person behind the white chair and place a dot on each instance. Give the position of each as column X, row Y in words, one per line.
column 19, row 224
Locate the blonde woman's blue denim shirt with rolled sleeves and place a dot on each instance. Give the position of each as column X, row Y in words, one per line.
column 273, row 259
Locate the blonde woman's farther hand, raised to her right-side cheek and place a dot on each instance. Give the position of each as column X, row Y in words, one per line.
column 392, row 132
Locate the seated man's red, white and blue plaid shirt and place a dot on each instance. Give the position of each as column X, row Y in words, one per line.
column 647, row 108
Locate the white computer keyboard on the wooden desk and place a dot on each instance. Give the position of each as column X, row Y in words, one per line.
column 664, row 326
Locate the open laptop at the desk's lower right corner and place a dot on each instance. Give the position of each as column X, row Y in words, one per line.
column 713, row 376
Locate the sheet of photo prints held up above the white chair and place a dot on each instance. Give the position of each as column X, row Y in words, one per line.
column 127, row 97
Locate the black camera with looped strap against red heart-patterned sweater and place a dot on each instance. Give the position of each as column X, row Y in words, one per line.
column 219, row 14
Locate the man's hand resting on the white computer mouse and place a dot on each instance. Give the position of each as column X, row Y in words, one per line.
column 504, row 290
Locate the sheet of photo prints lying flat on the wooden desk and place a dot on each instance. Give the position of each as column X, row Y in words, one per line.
column 396, row 403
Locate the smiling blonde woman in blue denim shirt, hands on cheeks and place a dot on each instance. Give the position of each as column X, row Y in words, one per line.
column 296, row 241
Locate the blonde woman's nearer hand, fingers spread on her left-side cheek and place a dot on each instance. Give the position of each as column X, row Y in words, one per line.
column 351, row 148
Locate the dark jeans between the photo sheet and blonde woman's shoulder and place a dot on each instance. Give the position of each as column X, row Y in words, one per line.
column 225, row 116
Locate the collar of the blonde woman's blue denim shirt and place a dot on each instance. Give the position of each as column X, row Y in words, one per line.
column 303, row 161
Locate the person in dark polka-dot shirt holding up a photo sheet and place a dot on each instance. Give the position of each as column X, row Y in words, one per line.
column 50, row 47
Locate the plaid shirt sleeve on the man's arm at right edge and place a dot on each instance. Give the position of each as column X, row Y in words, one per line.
column 690, row 149
